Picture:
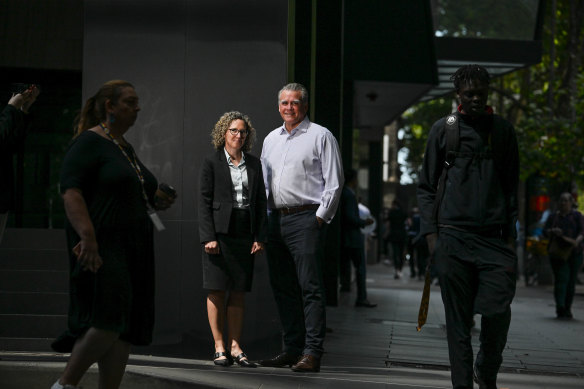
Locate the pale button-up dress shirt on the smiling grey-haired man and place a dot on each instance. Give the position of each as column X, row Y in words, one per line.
column 303, row 167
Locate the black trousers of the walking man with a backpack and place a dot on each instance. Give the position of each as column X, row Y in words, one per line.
column 477, row 275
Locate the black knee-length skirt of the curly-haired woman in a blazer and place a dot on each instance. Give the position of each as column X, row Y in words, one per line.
column 232, row 268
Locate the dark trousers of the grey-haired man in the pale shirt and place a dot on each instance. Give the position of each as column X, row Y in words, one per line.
column 295, row 255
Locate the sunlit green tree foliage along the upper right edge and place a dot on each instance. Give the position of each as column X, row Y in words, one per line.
column 550, row 125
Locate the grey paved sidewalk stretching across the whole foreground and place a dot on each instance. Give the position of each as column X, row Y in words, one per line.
column 368, row 348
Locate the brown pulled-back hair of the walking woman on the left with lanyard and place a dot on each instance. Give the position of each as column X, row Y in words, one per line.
column 94, row 110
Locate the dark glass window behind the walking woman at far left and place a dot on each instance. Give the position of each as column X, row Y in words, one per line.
column 37, row 161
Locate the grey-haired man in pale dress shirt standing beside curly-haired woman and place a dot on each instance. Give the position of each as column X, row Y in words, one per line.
column 303, row 176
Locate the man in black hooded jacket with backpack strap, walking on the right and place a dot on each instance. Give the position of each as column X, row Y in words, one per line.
column 467, row 197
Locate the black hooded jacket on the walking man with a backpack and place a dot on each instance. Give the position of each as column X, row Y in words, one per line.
column 481, row 186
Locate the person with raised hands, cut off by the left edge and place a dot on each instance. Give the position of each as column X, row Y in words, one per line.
column 14, row 123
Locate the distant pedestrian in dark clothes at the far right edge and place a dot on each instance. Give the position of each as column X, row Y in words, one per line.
column 565, row 228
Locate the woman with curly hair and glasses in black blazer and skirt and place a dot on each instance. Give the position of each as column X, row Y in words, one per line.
column 232, row 229
